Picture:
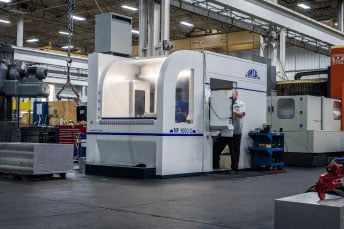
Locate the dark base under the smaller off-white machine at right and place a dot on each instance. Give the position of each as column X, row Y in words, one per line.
column 306, row 159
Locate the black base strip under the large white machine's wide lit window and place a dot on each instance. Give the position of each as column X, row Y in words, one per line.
column 120, row 171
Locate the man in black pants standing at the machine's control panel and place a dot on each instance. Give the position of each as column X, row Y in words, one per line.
column 232, row 142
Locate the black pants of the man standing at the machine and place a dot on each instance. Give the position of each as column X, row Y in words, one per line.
column 234, row 148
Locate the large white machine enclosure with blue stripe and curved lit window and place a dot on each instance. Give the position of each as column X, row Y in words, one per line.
column 155, row 111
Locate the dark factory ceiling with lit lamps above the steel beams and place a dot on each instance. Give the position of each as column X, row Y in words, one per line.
column 44, row 19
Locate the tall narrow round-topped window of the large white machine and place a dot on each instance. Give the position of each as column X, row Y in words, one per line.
column 184, row 97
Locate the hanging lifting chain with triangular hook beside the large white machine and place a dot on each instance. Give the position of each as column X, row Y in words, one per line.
column 70, row 10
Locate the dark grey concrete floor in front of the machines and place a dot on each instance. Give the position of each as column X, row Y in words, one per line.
column 210, row 201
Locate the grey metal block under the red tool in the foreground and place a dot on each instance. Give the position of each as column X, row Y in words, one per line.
column 308, row 211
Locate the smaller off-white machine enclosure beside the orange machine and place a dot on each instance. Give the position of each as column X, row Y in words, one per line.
column 311, row 123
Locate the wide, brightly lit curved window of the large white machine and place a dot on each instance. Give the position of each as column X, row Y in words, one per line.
column 130, row 89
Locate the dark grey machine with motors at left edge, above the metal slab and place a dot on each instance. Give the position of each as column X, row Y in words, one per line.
column 17, row 81
